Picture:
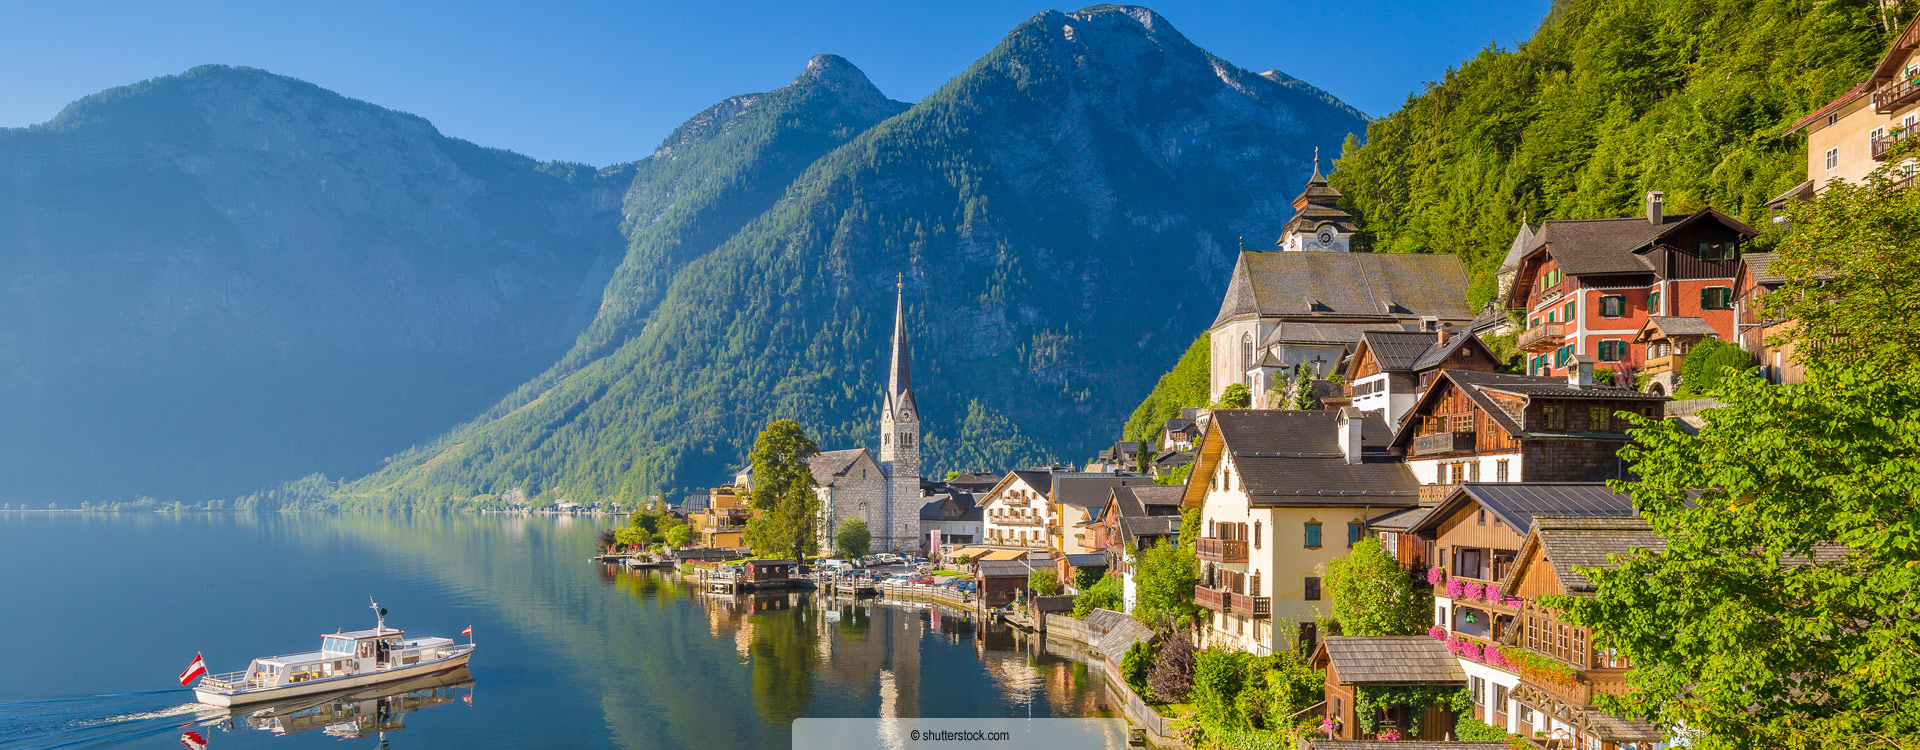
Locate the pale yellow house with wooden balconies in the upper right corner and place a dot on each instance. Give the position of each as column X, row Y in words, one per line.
column 1852, row 137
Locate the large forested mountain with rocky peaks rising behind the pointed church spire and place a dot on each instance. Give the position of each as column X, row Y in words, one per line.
column 1063, row 220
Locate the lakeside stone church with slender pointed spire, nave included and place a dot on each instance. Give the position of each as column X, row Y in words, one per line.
column 884, row 494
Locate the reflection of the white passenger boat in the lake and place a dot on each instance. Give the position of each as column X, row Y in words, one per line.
column 366, row 713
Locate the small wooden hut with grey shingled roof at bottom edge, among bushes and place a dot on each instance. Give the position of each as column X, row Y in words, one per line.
column 1383, row 663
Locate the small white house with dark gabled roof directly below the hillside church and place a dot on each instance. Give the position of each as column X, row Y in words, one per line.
column 1389, row 369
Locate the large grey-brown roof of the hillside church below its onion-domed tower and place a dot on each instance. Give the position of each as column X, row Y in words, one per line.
column 1389, row 287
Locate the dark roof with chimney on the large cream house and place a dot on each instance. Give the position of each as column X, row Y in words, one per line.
column 1293, row 457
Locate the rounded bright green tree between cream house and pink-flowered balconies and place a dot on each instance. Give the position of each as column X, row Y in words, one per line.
column 1372, row 594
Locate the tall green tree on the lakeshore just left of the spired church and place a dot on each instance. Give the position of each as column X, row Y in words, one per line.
column 784, row 492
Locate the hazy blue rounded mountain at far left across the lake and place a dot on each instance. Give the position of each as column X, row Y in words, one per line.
column 226, row 279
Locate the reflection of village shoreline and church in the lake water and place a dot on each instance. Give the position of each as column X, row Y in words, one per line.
column 798, row 640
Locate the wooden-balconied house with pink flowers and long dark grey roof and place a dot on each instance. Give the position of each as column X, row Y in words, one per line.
column 1476, row 536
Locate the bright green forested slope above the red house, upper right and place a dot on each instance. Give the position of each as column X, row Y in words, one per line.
column 1610, row 99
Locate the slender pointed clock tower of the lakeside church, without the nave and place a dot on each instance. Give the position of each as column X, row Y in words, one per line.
column 900, row 446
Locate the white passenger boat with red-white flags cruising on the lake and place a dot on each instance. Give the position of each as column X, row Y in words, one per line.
column 347, row 661
